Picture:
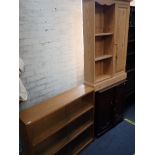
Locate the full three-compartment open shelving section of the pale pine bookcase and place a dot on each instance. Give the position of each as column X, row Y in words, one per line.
column 104, row 40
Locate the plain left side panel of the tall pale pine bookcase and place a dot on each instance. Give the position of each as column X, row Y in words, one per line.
column 89, row 40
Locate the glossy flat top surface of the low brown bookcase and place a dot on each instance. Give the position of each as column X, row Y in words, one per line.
column 43, row 109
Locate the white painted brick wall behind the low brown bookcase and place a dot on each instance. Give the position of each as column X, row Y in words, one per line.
column 51, row 45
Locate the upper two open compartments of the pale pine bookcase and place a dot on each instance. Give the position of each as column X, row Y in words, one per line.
column 104, row 28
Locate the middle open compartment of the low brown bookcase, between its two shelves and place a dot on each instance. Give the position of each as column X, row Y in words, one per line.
column 59, row 140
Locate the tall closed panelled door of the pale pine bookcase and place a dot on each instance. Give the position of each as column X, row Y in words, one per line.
column 121, row 31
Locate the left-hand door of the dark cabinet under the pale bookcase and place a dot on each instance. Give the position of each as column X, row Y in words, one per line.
column 103, row 111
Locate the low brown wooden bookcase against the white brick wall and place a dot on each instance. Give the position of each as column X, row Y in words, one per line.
column 61, row 125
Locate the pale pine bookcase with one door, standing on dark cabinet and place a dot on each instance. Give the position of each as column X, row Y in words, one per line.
column 105, row 29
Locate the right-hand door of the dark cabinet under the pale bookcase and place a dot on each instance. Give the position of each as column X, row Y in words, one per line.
column 118, row 103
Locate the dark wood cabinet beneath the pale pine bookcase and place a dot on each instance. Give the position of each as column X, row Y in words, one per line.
column 109, row 108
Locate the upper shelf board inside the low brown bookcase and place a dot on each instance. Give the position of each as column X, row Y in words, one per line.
column 52, row 131
